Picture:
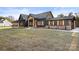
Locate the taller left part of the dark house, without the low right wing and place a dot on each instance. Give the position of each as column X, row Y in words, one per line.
column 39, row 19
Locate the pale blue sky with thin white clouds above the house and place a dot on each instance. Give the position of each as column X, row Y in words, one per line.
column 16, row 11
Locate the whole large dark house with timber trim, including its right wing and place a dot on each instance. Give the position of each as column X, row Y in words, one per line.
column 47, row 20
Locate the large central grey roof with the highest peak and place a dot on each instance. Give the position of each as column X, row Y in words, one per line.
column 43, row 15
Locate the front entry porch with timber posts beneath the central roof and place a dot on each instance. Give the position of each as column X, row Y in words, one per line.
column 35, row 22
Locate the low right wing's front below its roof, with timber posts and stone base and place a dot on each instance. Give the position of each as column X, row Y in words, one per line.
column 61, row 24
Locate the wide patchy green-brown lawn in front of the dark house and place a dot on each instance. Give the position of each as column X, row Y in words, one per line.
column 34, row 39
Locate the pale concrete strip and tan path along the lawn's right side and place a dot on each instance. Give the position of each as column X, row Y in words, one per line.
column 73, row 46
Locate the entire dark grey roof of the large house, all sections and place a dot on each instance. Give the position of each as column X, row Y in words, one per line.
column 45, row 15
